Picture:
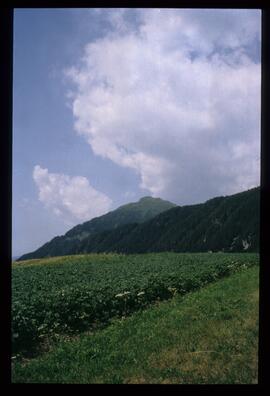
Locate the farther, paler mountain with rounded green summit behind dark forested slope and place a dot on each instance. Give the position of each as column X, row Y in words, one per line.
column 136, row 212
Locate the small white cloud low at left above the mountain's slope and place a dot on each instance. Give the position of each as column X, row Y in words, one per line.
column 72, row 198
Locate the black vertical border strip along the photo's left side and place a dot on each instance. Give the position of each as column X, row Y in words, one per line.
column 6, row 63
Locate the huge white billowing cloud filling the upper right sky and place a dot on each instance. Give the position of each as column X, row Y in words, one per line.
column 176, row 98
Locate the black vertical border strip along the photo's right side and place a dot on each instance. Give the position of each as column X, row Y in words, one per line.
column 264, row 328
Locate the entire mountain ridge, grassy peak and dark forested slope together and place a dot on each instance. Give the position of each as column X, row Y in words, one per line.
column 229, row 224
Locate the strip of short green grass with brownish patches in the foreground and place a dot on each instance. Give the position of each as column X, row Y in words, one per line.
column 209, row 336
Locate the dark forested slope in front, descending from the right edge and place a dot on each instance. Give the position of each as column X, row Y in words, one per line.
column 228, row 224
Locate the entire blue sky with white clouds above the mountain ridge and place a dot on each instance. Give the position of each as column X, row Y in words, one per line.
column 110, row 105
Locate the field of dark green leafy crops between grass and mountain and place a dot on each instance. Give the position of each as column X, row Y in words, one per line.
column 71, row 294
